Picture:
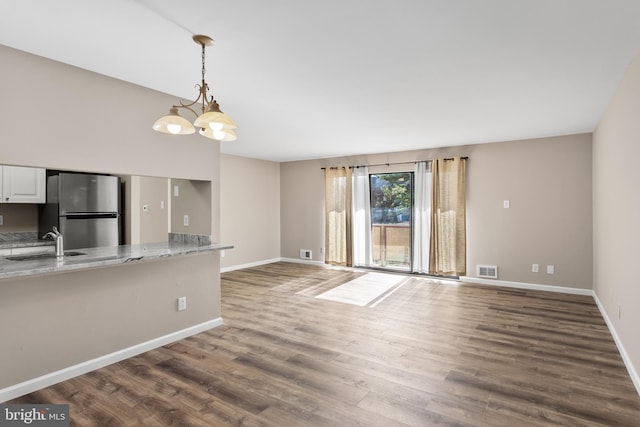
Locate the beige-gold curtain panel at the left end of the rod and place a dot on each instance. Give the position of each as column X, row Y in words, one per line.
column 338, row 246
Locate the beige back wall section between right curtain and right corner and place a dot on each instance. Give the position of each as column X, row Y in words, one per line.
column 548, row 184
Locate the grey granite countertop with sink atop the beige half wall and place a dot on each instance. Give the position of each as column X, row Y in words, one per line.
column 100, row 257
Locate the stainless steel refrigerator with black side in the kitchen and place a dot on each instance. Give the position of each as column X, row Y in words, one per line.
column 84, row 207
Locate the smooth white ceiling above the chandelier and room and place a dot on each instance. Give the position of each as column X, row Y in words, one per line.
column 307, row 79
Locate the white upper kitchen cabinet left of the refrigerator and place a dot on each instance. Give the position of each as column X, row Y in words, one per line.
column 23, row 185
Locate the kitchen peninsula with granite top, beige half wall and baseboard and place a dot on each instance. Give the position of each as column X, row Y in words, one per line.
column 96, row 306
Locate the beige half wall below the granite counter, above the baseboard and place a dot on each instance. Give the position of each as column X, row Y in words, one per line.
column 64, row 319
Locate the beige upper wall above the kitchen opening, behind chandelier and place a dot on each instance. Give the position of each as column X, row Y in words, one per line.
column 91, row 101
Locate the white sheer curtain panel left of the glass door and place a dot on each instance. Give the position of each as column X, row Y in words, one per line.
column 362, row 252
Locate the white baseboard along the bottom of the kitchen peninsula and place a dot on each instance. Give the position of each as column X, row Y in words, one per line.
column 52, row 378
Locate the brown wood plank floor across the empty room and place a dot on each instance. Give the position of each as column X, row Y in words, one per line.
column 430, row 353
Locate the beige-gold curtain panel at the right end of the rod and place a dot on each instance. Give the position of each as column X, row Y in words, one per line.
column 448, row 218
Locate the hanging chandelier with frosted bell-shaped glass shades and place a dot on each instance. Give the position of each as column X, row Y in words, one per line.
column 212, row 122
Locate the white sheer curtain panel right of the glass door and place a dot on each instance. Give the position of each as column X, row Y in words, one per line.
column 421, row 217
